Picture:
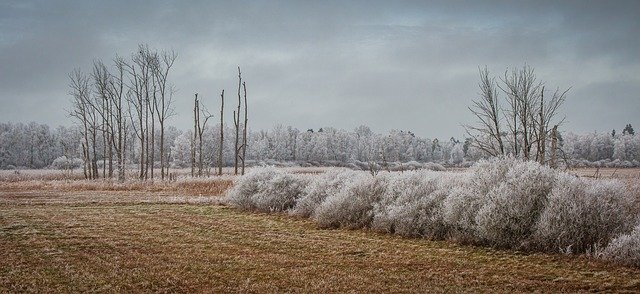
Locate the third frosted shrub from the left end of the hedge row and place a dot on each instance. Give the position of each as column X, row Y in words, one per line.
column 353, row 206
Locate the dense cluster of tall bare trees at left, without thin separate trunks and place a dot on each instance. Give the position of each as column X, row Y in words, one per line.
column 129, row 97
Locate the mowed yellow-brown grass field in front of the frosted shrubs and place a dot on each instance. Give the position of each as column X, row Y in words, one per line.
column 75, row 236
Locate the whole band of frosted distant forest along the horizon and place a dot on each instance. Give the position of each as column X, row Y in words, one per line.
column 37, row 146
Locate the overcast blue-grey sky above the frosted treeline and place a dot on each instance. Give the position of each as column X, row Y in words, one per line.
column 386, row 64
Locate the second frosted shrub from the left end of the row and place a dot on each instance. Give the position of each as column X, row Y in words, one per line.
column 329, row 183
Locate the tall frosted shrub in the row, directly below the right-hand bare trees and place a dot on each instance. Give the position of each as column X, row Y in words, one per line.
column 510, row 210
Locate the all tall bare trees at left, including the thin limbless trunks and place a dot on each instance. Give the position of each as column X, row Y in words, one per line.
column 123, row 109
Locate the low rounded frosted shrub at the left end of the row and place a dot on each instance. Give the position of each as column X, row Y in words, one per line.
column 266, row 189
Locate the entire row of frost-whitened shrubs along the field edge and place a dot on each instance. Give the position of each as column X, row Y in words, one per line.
column 503, row 203
